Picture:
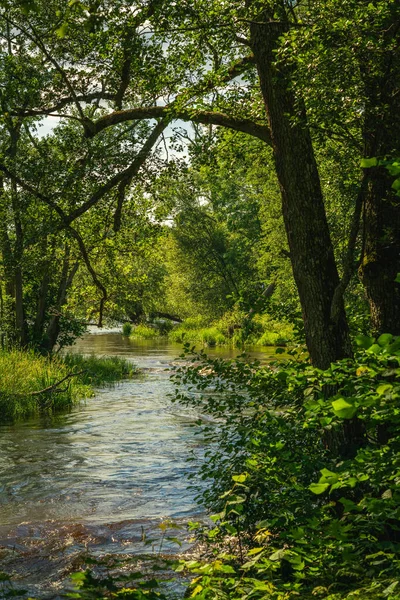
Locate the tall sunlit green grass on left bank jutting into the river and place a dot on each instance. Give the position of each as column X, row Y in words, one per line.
column 23, row 375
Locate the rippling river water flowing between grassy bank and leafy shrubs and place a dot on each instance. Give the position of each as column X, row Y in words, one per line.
column 100, row 478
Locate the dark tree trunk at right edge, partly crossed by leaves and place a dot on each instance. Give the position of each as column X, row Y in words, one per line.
column 381, row 253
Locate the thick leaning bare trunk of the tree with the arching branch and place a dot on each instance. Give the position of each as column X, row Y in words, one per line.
column 311, row 249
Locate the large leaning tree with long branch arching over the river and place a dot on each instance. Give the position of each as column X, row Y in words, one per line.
column 196, row 50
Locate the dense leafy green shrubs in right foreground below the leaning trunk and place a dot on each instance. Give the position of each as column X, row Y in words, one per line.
column 304, row 472
